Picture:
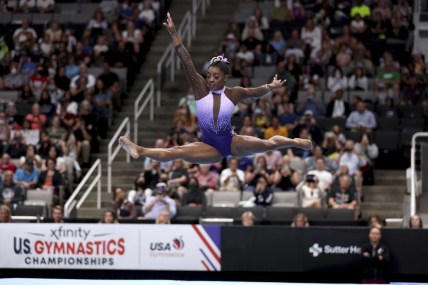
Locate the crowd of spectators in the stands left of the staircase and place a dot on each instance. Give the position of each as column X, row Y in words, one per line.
column 67, row 90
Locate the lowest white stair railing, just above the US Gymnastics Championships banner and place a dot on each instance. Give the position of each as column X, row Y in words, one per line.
column 72, row 201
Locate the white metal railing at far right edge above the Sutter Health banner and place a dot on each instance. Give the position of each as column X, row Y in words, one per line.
column 415, row 190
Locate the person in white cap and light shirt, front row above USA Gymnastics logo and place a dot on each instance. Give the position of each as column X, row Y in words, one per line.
column 158, row 203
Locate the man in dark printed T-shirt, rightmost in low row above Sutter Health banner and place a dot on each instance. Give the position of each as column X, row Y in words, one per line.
column 343, row 197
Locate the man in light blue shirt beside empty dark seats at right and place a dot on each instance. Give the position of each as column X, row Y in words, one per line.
column 361, row 120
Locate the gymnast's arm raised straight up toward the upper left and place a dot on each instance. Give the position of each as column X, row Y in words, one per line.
column 193, row 77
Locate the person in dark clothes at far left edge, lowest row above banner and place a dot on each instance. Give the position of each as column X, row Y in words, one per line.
column 10, row 193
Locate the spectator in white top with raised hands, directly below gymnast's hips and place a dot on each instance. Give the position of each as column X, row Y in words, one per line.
column 232, row 178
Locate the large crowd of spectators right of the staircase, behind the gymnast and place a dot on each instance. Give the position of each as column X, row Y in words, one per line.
column 318, row 48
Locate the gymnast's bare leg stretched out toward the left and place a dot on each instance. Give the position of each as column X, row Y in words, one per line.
column 197, row 152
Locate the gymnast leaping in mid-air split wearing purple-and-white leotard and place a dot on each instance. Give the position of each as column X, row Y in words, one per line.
column 214, row 105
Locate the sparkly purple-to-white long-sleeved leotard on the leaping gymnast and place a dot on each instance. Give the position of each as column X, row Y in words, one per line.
column 214, row 111
